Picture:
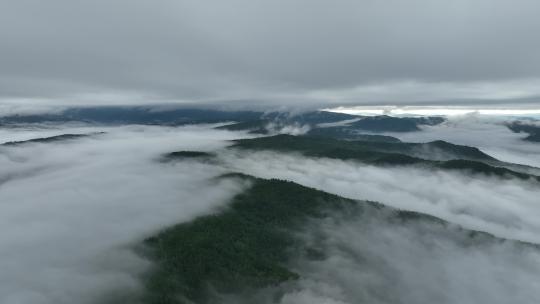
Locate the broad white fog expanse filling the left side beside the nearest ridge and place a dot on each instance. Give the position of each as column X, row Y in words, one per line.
column 70, row 212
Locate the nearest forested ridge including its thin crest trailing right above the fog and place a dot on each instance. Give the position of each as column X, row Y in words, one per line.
column 249, row 245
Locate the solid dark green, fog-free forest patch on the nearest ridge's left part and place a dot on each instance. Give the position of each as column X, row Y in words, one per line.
column 243, row 246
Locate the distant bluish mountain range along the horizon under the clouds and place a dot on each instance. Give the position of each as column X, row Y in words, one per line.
column 255, row 122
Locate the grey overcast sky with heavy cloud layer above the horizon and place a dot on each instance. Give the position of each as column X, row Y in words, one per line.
column 279, row 51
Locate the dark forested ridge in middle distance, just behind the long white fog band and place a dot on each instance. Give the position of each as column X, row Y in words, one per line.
column 437, row 154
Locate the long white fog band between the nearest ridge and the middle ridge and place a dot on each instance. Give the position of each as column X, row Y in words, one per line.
column 506, row 208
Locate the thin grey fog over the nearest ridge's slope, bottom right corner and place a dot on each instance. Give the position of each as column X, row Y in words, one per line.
column 370, row 260
